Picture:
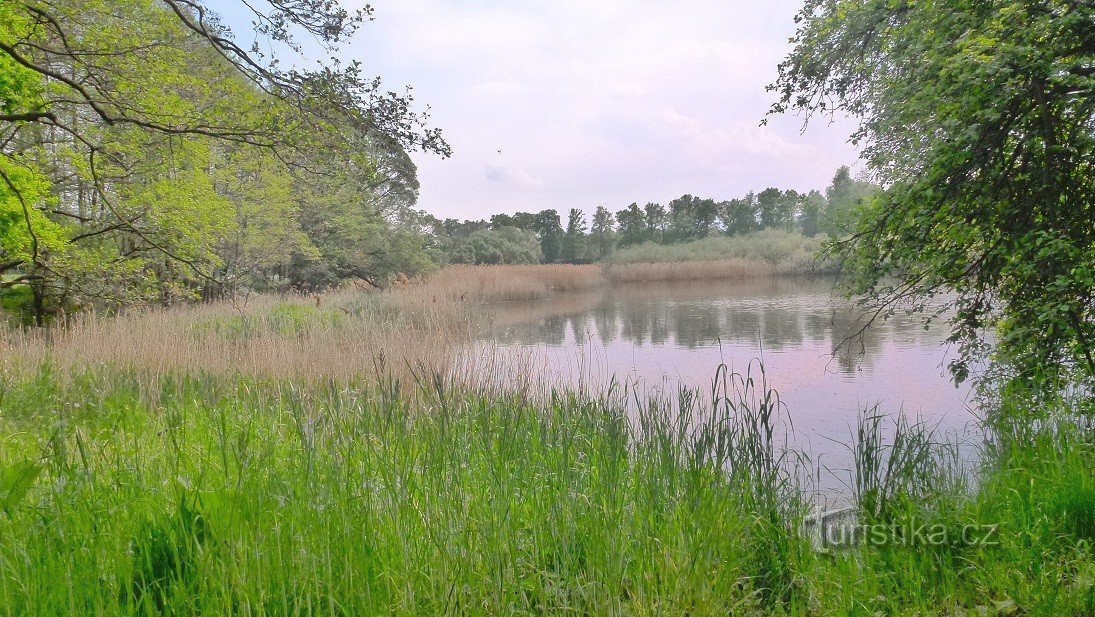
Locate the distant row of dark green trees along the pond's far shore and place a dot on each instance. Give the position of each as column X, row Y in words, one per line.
column 545, row 237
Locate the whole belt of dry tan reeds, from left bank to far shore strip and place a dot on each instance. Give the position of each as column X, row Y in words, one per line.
column 418, row 327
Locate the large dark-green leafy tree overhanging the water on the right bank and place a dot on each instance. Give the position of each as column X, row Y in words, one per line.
column 977, row 119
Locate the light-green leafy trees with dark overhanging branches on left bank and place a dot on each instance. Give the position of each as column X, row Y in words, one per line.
column 126, row 128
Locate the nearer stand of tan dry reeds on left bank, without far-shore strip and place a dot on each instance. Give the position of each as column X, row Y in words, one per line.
column 270, row 338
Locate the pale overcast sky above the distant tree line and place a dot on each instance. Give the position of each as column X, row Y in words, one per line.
column 597, row 102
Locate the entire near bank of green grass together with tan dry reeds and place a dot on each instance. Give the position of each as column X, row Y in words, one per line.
column 303, row 456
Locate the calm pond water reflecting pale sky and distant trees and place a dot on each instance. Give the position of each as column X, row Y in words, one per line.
column 678, row 335
